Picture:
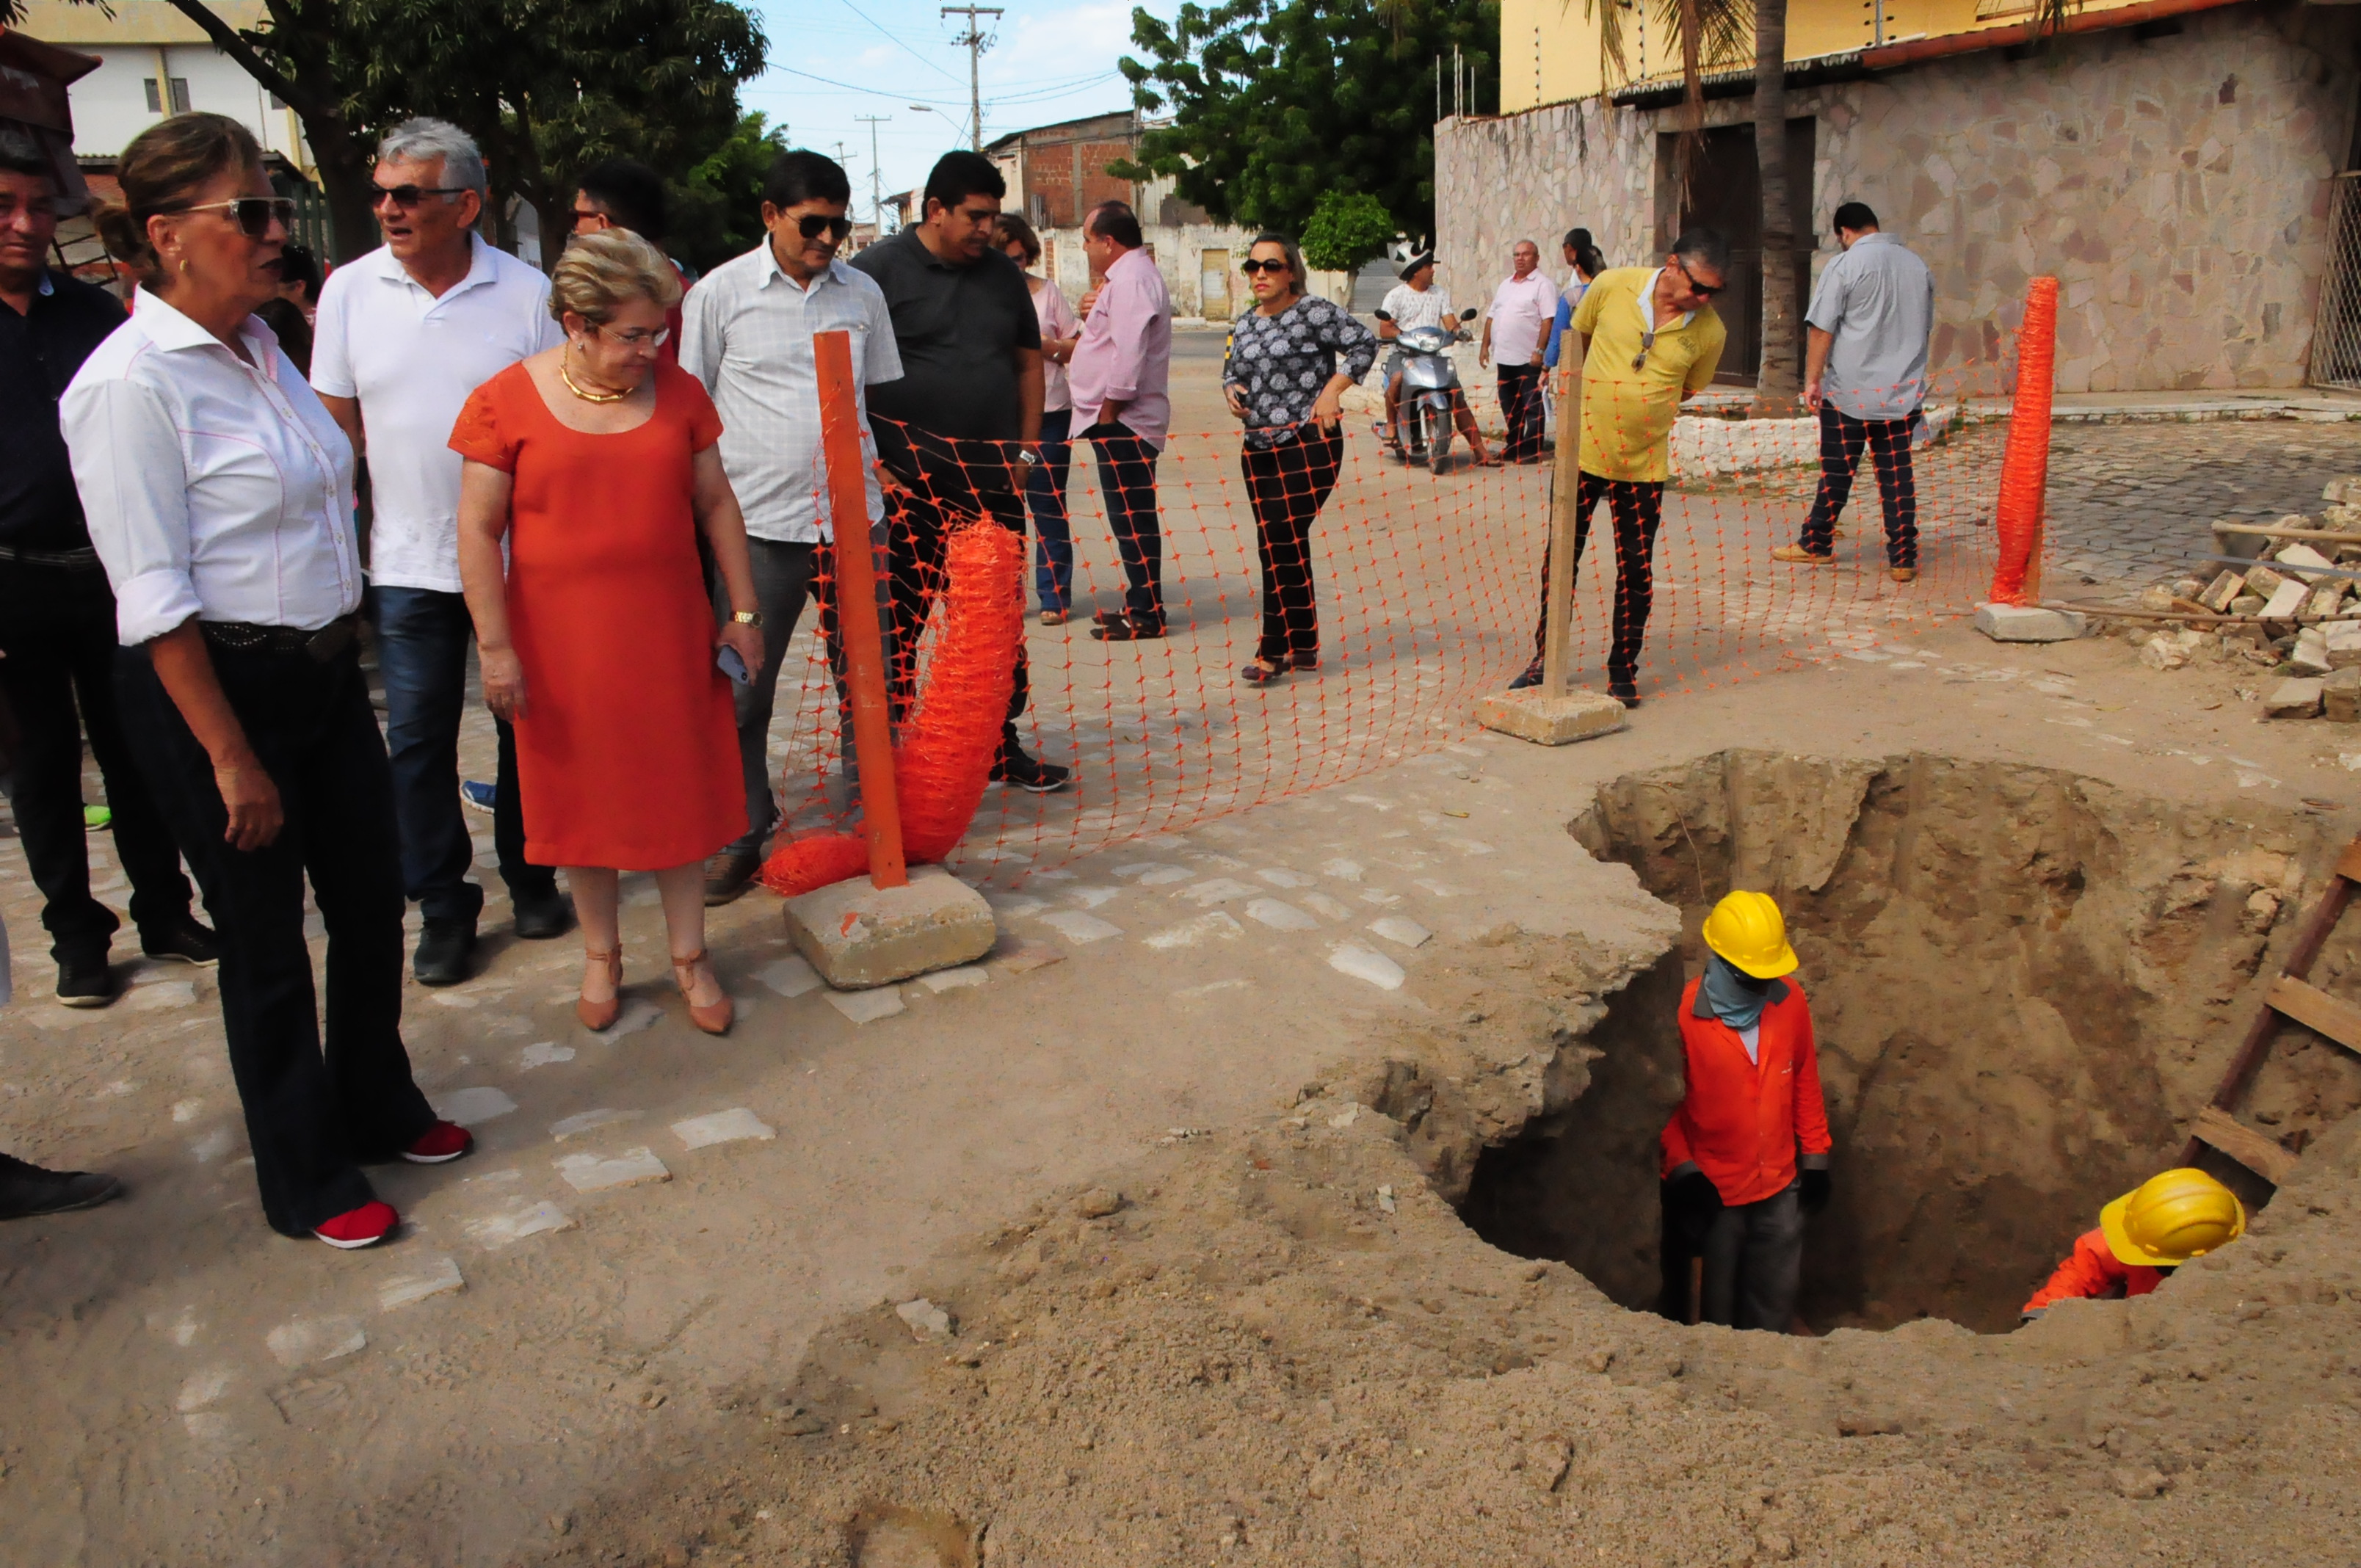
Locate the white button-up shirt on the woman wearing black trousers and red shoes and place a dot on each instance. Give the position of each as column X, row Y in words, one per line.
column 214, row 488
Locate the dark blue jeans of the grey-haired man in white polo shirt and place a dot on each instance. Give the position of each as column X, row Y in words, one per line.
column 424, row 641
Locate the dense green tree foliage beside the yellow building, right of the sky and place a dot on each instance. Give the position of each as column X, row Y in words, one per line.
column 1281, row 103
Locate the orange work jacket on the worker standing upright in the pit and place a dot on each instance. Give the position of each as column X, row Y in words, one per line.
column 1744, row 1123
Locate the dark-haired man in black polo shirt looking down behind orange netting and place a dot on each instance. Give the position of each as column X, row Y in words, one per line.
column 967, row 414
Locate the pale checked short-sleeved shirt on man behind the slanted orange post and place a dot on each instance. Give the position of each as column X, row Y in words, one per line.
column 747, row 337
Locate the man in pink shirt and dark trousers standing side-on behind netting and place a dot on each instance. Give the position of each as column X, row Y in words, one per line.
column 1120, row 377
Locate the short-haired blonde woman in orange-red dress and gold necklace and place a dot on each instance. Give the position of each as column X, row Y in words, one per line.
column 599, row 469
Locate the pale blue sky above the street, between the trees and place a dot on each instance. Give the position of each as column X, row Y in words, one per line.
column 835, row 60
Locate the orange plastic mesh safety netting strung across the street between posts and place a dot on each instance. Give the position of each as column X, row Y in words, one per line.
column 1425, row 594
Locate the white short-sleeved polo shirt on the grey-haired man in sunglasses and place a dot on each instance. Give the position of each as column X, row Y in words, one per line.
column 412, row 360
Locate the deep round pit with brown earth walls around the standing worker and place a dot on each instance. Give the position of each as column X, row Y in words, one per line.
column 2025, row 981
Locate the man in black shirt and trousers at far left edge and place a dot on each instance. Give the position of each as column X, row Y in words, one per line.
column 58, row 618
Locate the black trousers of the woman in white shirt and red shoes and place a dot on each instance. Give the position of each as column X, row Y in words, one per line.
column 320, row 1104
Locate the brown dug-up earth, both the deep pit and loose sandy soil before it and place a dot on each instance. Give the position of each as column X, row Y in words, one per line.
column 1392, row 1321
